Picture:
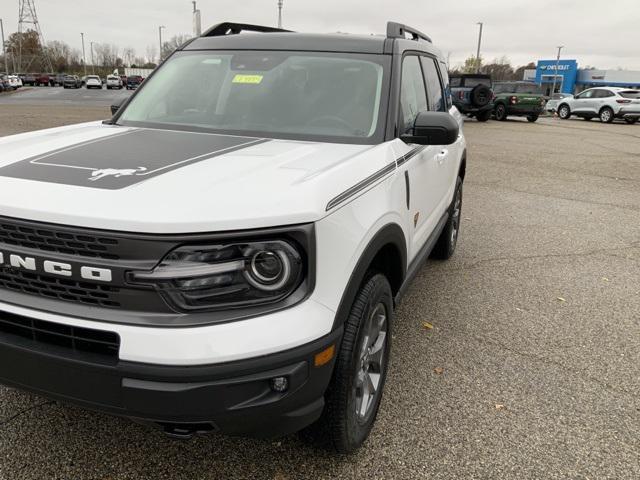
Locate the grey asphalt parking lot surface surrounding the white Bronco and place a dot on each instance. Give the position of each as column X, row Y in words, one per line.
column 531, row 369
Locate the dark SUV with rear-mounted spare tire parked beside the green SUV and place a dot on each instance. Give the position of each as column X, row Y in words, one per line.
column 472, row 95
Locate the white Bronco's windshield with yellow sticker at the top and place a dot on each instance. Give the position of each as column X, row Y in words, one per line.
column 330, row 97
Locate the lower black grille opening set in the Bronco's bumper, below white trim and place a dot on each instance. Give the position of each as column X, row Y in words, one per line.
column 74, row 339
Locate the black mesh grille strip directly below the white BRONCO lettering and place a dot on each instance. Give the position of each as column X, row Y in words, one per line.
column 59, row 288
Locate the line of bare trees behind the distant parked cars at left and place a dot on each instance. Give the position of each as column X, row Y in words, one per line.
column 25, row 54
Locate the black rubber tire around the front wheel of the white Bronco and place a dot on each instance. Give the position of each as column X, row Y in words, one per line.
column 340, row 427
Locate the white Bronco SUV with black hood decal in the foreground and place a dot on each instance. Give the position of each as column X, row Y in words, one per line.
column 225, row 254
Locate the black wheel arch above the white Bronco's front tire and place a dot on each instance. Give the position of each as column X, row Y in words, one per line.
column 385, row 253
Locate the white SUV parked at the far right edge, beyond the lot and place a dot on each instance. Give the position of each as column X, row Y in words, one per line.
column 606, row 103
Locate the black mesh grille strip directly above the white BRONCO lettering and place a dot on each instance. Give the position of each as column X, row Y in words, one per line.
column 51, row 240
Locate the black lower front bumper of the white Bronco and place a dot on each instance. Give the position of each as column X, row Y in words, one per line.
column 234, row 398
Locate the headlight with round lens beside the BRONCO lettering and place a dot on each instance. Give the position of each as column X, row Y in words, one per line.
column 232, row 275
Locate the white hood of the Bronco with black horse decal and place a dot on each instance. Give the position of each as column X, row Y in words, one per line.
column 161, row 181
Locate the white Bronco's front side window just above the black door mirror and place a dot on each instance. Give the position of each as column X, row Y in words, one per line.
column 413, row 98
